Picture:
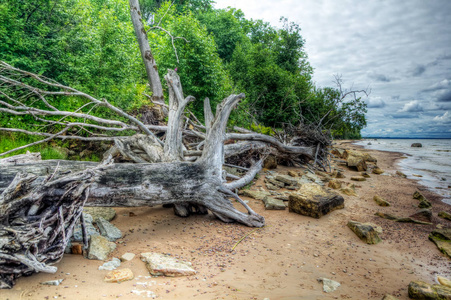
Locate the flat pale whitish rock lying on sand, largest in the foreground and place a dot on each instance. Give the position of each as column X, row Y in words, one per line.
column 159, row 264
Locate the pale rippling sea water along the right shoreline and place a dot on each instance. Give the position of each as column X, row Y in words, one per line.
column 432, row 161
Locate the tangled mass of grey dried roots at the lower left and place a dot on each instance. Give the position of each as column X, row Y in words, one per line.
column 37, row 221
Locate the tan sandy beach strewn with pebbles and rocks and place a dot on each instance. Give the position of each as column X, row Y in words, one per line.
column 280, row 261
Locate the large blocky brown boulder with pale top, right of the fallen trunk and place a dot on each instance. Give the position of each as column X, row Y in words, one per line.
column 314, row 201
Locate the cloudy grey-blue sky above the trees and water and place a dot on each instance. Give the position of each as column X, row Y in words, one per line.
column 400, row 50
